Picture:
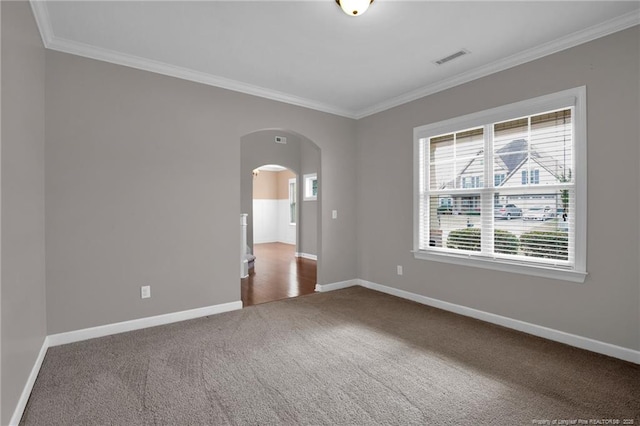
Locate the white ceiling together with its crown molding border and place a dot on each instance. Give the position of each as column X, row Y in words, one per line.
column 310, row 53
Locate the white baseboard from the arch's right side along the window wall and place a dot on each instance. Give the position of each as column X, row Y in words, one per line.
column 581, row 342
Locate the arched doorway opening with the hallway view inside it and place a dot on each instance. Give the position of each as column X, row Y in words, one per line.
column 286, row 253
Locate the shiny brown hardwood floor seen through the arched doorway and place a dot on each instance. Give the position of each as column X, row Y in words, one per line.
column 277, row 274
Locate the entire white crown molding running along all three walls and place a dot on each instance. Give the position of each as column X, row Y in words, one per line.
column 52, row 42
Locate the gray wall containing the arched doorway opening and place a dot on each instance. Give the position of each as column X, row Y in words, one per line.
column 140, row 190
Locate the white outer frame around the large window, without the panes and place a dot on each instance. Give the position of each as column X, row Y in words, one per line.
column 576, row 98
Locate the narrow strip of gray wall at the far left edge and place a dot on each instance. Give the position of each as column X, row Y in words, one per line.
column 23, row 254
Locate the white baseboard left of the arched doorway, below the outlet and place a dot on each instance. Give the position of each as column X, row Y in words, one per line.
column 137, row 324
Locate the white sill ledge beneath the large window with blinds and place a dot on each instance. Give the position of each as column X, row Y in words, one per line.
column 504, row 265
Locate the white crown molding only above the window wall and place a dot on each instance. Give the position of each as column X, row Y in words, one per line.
column 580, row 37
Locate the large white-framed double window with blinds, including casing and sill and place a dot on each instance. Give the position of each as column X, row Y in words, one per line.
column 505, row 188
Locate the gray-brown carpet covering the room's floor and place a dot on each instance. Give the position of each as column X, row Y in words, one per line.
column 349, row 357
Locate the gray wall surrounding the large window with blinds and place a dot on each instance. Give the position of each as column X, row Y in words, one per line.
column 606, row 306
